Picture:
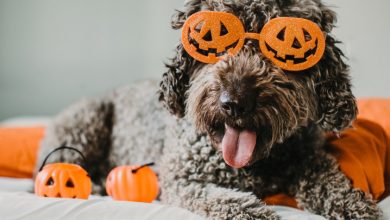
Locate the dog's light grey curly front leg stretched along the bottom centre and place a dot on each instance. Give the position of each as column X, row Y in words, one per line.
column 215, row 202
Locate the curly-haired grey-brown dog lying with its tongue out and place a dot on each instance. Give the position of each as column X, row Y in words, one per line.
column 240, row 97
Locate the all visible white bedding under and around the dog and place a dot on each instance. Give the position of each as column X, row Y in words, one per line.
column 18, row 202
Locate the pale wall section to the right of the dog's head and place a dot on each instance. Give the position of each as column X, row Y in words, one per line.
column 364, row 28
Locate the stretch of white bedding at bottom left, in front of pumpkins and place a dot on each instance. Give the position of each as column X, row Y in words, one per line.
column 22, row 205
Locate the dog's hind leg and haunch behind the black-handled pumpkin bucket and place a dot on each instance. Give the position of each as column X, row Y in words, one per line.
column 85, row 126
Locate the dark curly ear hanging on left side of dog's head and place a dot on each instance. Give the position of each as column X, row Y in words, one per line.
column 175, row 82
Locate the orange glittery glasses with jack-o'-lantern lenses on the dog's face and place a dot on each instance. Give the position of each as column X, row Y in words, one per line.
column 293, row 44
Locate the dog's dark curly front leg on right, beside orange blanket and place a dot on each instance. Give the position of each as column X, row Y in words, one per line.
column 325, row 190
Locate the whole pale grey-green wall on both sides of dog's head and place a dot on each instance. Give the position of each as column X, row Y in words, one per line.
column 54, row 52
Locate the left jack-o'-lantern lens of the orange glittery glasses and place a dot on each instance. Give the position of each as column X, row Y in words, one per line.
column 207, row 36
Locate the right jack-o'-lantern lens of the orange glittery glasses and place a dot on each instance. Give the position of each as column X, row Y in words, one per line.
column 292, row 43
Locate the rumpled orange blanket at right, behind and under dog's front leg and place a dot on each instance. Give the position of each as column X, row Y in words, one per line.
column 363, row 153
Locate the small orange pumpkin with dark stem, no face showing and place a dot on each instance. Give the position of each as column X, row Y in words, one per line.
column 133, row 183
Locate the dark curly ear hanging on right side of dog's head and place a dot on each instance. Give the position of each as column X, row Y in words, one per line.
column 336, row 103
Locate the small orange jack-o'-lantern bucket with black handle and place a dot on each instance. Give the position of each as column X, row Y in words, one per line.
column 63, row 180
